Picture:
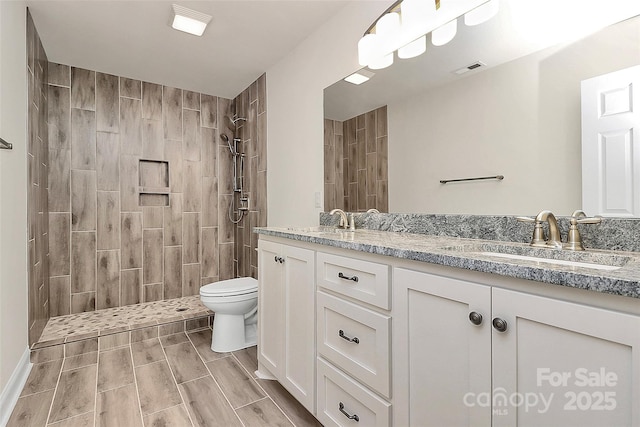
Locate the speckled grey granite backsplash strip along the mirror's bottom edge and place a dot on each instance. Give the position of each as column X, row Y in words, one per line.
column 620, row 234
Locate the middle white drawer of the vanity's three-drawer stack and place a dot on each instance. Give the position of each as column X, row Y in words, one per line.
column 356, row 339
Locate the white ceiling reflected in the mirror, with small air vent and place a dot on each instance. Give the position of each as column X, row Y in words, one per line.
column 520, row 28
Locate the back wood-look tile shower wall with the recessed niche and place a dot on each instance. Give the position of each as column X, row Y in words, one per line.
column 111, row 244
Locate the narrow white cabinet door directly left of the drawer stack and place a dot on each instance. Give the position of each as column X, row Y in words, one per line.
column 299, row 331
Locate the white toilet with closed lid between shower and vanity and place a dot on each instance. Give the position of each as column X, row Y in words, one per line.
column 235, row 305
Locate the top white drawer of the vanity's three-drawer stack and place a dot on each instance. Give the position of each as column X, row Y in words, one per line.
column 363, row 280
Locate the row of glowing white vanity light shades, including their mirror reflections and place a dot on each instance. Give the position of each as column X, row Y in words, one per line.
column 404, row 26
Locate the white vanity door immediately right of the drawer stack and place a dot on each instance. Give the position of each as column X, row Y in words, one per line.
column 439, row 356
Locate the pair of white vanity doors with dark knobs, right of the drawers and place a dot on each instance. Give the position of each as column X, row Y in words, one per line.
column 476, row 355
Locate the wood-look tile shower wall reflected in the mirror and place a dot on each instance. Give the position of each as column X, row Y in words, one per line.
column 355, row 163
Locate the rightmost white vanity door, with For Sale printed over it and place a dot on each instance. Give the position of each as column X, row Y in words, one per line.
column 564, row 364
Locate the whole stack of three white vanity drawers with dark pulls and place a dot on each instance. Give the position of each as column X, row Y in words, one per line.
column 353, row 341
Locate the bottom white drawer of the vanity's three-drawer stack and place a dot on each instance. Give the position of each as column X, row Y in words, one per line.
column 337, row 391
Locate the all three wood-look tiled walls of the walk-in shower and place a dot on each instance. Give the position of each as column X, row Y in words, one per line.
column 139, row 185
